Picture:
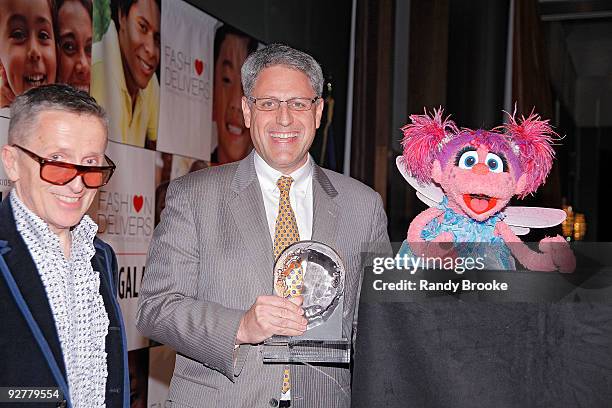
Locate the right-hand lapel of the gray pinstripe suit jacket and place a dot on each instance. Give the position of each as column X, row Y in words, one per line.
column 325, row 209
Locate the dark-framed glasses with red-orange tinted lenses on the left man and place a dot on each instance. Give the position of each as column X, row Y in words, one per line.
column 62, row 173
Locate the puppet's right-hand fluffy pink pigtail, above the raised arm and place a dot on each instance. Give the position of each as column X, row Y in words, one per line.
column 534, row 138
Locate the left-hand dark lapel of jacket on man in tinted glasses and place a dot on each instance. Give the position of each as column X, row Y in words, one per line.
column 23, row 270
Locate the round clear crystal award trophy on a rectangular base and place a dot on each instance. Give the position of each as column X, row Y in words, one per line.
column 316, row 272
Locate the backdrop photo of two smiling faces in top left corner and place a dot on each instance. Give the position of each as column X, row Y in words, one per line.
column 44, row 42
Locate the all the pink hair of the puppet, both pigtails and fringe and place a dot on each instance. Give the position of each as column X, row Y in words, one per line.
column 527, row 144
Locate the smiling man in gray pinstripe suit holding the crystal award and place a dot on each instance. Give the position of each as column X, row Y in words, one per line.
column 208, row 290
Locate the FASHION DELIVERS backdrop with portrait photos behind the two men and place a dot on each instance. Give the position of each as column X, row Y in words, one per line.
column 160, row 97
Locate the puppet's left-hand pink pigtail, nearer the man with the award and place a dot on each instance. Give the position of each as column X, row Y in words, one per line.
column 422, row 141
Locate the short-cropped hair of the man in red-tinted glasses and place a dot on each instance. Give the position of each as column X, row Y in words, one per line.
column 26, row 108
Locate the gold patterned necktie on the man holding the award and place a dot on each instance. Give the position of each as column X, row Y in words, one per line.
column 286, row 233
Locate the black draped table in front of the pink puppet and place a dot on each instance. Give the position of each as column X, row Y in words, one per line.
column 525, row 347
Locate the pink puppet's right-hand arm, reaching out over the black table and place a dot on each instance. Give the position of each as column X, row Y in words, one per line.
column 556, row 254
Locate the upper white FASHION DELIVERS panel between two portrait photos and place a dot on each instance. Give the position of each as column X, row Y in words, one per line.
column 186, row 80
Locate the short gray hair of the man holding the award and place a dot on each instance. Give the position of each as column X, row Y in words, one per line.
column 280, row 54
